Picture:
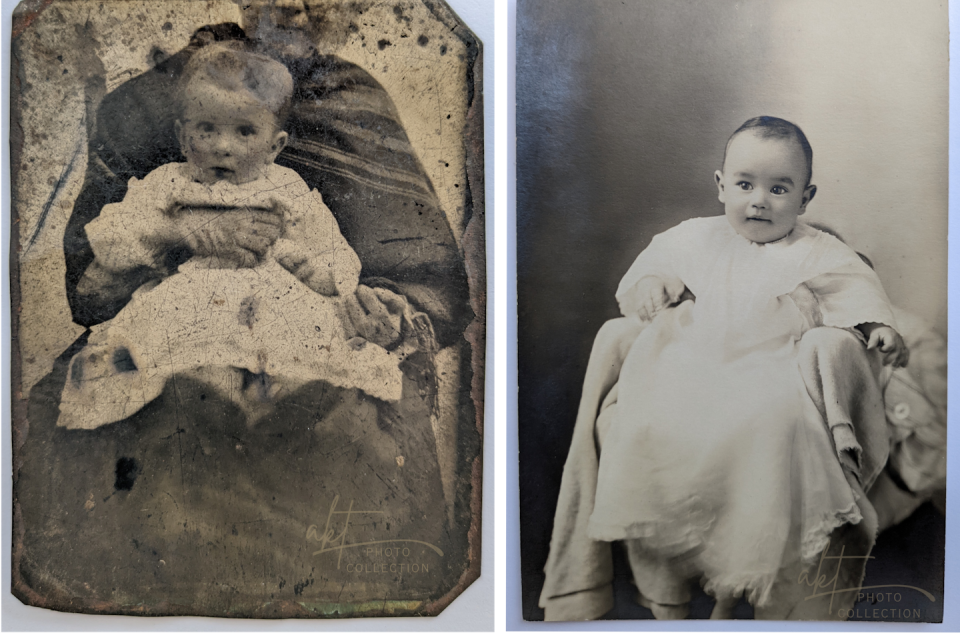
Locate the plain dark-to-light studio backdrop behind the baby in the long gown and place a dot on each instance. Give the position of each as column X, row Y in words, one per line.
column 623, row 109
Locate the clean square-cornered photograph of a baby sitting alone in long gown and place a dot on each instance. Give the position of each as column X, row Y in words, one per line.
column 732, row 309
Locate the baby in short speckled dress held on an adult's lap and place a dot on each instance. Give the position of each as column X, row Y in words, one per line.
column 262, row 290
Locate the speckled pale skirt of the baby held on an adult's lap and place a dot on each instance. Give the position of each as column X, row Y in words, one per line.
column 221, row 327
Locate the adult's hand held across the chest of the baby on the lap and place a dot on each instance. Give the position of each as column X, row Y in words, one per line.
column 239, row 238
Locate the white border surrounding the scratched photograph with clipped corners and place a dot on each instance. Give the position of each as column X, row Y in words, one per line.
column 472, row 611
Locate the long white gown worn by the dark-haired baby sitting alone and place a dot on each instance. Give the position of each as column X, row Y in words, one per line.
column 716, row 450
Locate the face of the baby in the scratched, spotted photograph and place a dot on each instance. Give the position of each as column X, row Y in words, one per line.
column 226, row 135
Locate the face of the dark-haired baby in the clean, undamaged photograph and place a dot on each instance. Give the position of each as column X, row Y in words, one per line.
column 763, row 186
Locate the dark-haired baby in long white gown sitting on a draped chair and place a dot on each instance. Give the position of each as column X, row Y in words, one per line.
column 717, row 464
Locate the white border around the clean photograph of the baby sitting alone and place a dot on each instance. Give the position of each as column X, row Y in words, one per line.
column 514, row 618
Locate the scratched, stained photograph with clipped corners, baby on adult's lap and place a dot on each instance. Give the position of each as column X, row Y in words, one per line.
column 248, row 307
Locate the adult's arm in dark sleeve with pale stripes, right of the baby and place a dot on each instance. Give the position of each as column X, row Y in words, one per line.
column 347, row 141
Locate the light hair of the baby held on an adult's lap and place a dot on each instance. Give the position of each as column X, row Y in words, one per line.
column 232, row 66
